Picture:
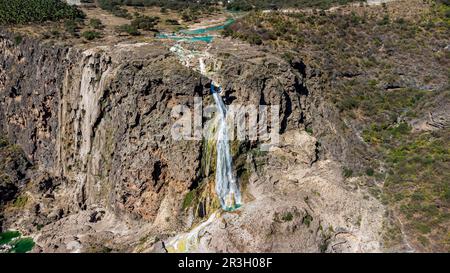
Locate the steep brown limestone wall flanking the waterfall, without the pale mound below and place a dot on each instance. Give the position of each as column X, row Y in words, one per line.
column 97, row 120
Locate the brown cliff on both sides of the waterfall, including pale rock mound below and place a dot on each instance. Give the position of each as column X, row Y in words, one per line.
column 95, row 124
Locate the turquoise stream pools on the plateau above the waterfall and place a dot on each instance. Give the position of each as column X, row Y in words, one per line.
column 191, row 35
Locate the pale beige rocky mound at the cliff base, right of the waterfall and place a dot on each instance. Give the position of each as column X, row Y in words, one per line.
column 298, row 207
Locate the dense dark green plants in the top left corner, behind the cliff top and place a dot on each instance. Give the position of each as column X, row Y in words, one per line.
column 28, row 11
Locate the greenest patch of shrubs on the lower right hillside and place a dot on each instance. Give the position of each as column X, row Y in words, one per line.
column 418, row 183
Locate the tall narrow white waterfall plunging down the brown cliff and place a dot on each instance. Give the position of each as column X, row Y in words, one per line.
column 227, row 188
